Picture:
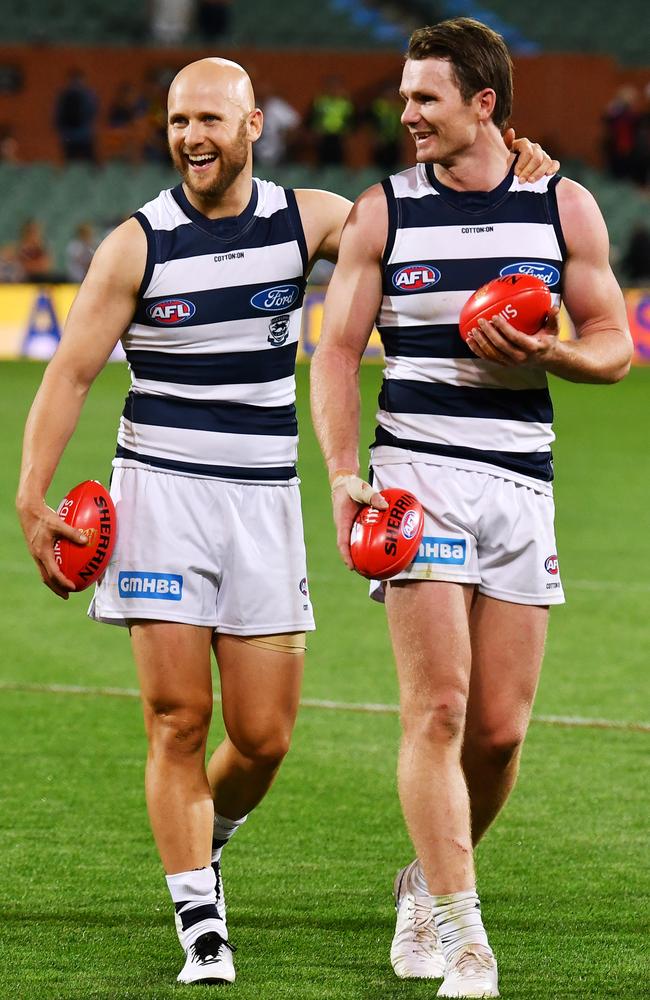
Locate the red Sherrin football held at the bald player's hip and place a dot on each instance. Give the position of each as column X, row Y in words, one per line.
column 89, row 508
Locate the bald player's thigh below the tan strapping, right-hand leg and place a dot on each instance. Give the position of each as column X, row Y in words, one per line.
column 260, row 694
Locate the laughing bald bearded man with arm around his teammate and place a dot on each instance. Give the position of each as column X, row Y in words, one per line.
column 204, row 286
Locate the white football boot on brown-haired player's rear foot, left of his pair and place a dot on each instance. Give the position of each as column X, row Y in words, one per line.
column 415, row 952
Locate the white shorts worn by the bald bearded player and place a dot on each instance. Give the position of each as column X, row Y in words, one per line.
column 206, row 552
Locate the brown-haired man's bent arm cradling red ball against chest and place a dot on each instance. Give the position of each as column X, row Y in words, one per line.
column 603, row 349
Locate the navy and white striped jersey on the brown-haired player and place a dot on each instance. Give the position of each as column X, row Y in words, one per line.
column 439, row 403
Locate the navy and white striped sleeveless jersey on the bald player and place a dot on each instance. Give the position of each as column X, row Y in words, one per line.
column 212, row 345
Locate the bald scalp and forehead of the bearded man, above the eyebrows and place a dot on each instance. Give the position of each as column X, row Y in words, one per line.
column 210, row 79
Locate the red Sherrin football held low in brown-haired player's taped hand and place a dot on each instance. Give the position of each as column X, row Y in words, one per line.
column 384, row 542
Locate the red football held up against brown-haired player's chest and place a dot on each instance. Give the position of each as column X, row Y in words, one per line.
column 523, row 300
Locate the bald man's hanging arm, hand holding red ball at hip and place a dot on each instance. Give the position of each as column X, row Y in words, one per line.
column 99, row 315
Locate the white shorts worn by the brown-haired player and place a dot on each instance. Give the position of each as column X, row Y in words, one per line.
column 481, row 529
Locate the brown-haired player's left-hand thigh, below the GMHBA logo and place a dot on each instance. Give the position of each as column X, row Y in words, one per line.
column 429, row 629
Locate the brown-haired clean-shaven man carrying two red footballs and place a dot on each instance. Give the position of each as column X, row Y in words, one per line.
column 467, row 429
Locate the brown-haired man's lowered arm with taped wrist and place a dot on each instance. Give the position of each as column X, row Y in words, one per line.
column 353, row 298
